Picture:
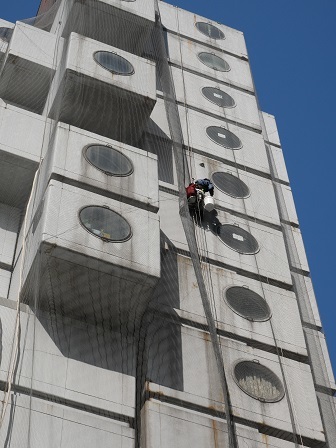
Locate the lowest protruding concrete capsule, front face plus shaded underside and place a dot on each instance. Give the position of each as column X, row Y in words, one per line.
column 82, row 273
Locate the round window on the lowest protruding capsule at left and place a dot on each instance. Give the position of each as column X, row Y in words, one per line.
column 105, row 223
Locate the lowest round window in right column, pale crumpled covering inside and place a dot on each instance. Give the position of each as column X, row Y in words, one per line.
column 258, row 381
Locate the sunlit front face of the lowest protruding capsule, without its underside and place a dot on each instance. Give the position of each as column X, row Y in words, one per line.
column 60, row 225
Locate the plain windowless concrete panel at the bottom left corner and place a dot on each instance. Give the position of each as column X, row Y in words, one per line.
column 46, row 424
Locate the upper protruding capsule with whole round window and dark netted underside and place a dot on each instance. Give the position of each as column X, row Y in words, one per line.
column 86, row 95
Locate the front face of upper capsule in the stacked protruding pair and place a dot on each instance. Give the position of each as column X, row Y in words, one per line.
column 68, row 160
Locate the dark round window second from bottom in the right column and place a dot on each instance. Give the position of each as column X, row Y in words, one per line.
column 247, row 303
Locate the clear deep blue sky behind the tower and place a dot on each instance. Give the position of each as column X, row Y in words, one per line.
column 291, row 45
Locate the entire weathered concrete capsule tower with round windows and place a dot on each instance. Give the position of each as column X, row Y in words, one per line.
column 125, row 321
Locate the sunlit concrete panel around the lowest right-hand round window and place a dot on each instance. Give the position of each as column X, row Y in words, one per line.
column 202, row 385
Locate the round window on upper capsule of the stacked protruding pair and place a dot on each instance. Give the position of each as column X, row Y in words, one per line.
column 108, row 160
